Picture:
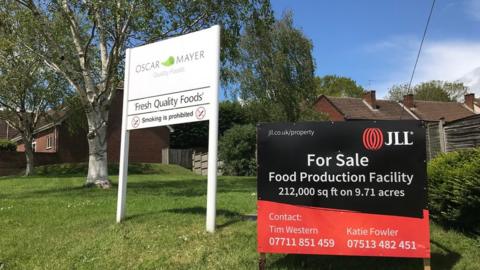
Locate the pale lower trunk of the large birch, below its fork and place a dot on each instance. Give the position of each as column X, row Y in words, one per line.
column 97, row 144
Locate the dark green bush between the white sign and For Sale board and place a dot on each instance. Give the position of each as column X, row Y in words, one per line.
column 237, row 150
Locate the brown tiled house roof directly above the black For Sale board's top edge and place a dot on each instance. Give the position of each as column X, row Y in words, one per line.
column 357, row 108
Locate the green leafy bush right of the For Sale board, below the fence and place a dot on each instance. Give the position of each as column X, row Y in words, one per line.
column 454, row 188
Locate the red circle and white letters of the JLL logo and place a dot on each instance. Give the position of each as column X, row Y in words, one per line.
column 373, row 138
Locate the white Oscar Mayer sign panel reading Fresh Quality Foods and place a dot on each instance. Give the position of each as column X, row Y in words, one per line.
column 171, row 81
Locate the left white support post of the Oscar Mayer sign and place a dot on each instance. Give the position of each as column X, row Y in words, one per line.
column 124, row 145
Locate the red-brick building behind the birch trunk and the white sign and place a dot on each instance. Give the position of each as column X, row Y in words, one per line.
column 70, row 144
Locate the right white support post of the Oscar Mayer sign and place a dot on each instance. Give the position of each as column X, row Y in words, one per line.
column 212, row 146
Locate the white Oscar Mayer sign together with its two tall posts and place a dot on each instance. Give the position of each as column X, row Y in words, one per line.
column 171, row 82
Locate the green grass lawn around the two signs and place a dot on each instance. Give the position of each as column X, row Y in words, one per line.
column 52, row 222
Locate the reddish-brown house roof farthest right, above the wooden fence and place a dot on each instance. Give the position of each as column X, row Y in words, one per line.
column 436, row 110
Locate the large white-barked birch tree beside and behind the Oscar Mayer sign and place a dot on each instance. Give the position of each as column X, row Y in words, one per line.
column 84, row 41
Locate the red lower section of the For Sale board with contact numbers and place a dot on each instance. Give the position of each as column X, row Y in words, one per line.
column 284, row 228
